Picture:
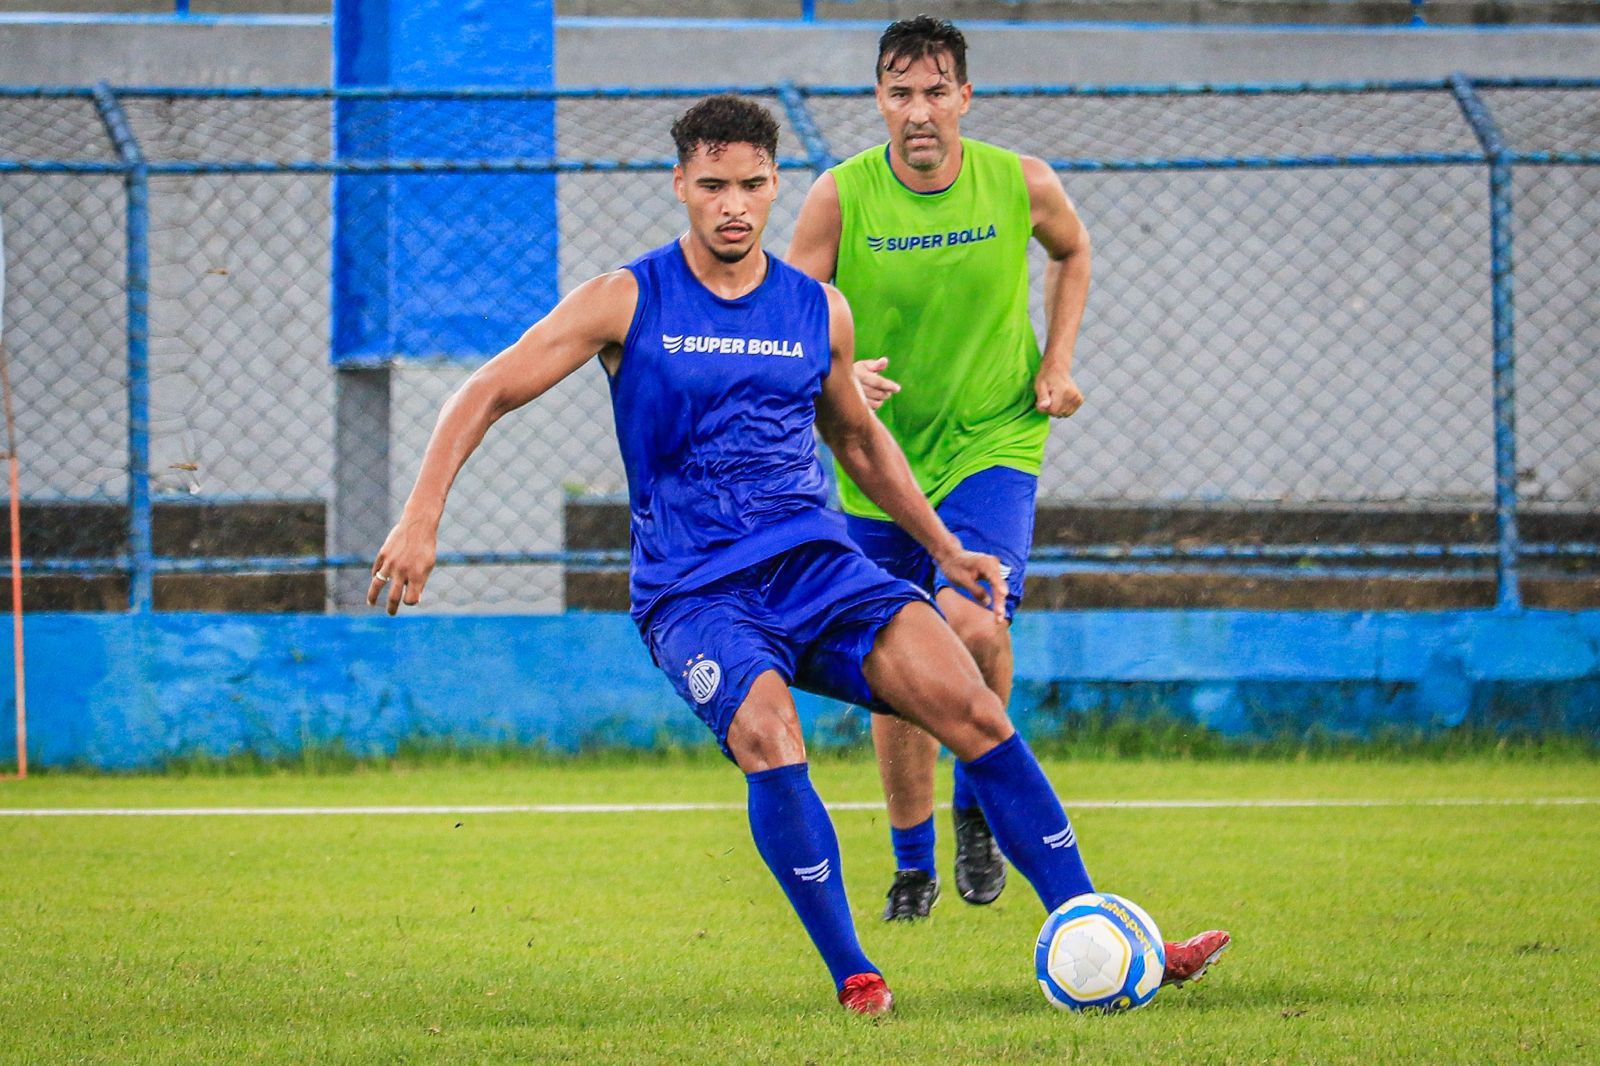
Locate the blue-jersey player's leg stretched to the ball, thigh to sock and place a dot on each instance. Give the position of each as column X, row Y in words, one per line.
column 922, row 670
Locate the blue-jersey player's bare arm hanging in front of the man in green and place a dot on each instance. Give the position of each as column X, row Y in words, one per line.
column 876, row 463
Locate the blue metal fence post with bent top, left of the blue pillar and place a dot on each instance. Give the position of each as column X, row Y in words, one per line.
column 137, row 178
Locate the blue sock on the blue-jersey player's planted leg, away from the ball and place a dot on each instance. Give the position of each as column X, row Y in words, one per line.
column 798, row 841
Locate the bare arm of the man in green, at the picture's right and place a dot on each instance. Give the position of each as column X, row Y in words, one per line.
column 1058, row 228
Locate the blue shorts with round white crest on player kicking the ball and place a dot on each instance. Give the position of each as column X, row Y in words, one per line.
column 810, row 614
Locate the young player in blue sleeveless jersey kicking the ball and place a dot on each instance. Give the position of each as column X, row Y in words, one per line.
column 721, row 361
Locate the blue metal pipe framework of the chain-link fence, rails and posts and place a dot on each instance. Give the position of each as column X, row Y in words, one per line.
column 1426, row 559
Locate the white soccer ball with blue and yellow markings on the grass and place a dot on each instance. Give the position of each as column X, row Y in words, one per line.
column 1100, row 953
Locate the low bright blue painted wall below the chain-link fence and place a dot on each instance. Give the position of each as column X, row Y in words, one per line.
column 137, row 691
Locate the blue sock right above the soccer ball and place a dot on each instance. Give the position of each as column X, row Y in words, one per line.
column 1028, row 822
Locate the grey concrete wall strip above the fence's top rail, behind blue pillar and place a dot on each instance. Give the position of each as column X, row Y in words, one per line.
column 617, row 52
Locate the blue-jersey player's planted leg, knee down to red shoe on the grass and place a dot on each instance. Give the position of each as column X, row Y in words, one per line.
column 796, row 838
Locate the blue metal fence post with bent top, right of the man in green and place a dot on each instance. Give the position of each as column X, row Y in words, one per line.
column 1502, row 223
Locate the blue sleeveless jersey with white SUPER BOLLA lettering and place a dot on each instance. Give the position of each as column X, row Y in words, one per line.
column 714, row 406
